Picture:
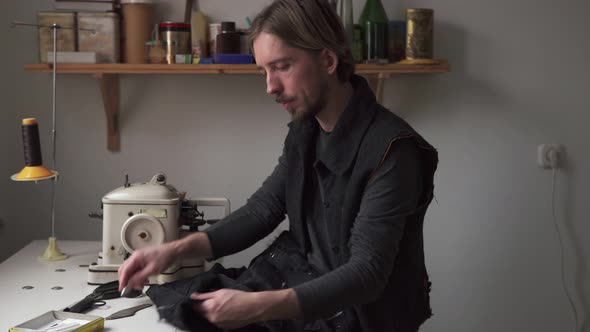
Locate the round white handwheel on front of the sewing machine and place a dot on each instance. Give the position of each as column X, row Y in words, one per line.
column 140, row 231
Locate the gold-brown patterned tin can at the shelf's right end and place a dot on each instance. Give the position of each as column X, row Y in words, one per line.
column 420, row 26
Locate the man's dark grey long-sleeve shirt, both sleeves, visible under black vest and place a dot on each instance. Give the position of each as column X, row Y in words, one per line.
column 388, row 199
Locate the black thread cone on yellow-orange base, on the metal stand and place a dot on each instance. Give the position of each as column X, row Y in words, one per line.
column 34, row 169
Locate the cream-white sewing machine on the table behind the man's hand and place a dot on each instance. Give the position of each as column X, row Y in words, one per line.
column 140, row 215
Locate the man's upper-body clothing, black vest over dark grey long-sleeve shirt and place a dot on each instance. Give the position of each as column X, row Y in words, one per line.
column 370, row 248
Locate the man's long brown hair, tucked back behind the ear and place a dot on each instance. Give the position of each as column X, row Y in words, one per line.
column 311, row 25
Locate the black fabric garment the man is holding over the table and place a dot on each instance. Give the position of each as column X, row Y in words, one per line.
column 280, row 266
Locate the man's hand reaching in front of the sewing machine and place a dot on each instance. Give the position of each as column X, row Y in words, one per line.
column 134, row 272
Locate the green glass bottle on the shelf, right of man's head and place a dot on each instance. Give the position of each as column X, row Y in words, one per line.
column 374, row 23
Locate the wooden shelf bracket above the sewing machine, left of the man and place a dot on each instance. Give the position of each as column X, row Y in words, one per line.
column 109, row 88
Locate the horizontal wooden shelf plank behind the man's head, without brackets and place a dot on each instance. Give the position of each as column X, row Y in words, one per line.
column 120, row 68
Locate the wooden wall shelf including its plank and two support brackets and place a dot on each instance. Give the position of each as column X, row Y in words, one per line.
column 108, row 77
